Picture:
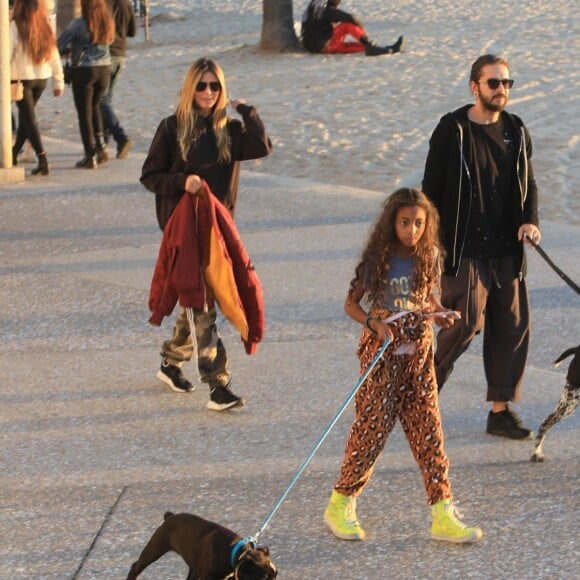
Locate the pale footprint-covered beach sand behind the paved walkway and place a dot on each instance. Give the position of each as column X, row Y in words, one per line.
column 360, row 121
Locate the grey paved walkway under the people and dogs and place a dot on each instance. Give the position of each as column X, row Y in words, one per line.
column 93, row 449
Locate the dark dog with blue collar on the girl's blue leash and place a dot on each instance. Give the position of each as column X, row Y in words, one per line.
column 211, row 551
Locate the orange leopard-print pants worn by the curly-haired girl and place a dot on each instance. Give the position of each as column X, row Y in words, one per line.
column 400, row 387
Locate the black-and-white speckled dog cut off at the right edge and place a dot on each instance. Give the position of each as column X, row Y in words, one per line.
column 566, row 405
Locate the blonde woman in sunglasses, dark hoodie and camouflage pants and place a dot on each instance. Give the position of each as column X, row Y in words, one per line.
column 201, row 142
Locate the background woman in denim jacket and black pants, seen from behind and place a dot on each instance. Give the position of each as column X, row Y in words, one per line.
column 87, row 39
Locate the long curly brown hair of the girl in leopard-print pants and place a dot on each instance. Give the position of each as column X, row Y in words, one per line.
column 374, row 263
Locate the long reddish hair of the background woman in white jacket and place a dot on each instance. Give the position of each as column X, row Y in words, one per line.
column 34, row 30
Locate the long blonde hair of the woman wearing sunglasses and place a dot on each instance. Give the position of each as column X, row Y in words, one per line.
column 188, row 114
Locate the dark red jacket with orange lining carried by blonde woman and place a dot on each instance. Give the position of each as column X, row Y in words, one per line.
column 202, row 258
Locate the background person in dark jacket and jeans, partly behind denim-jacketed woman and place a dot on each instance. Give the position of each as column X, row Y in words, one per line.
column 125, row 26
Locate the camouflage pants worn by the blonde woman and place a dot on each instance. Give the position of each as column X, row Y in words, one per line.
column 212, row 360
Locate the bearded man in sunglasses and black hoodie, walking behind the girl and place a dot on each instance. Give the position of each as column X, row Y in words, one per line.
column 479, row 175
